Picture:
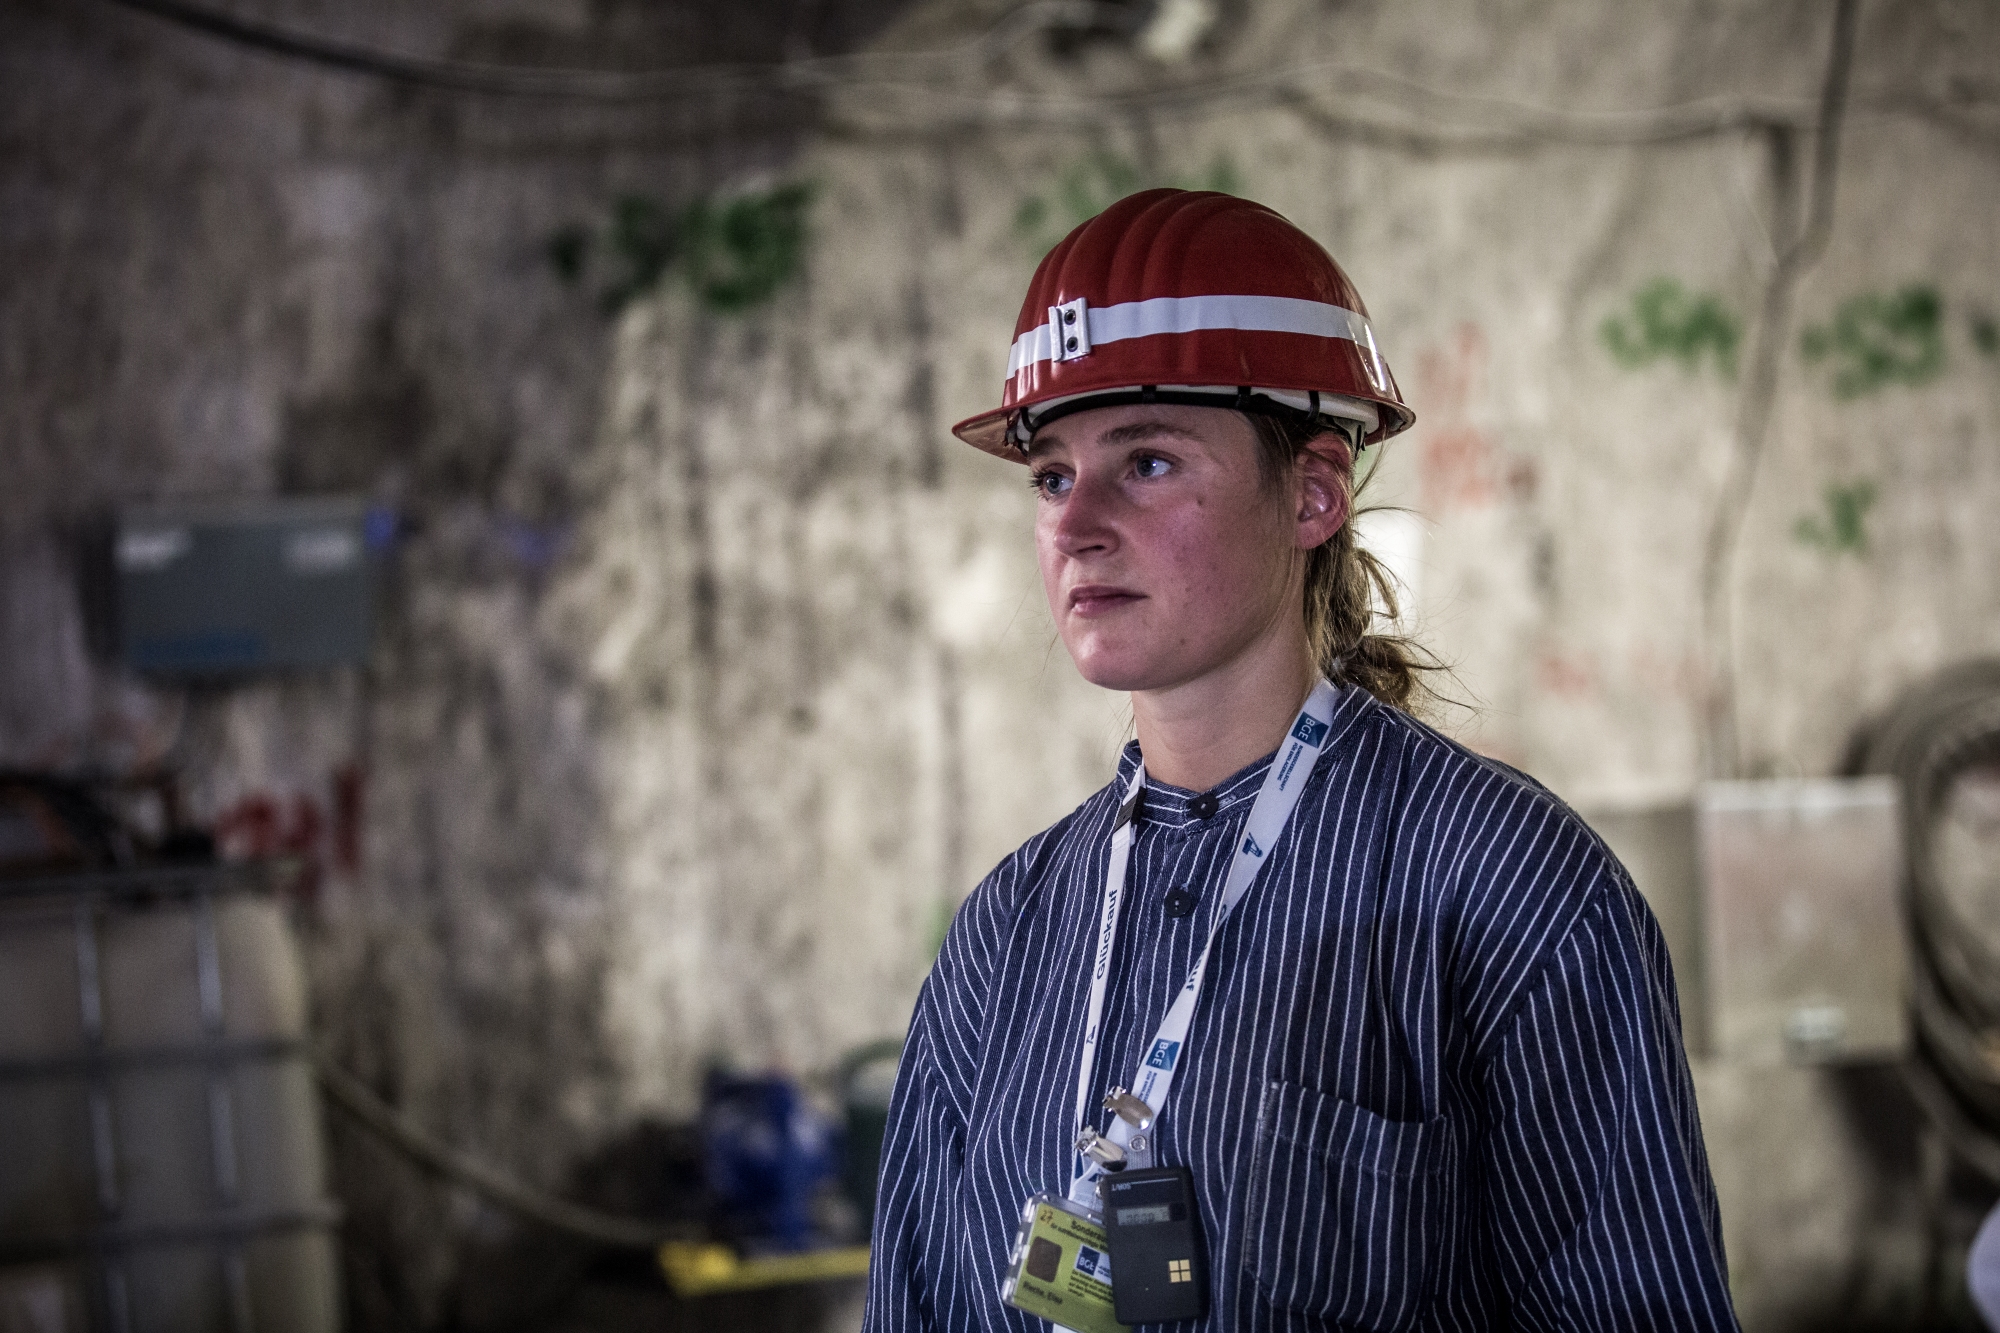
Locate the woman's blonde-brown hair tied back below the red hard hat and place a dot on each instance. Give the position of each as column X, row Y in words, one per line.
column 1345, row 585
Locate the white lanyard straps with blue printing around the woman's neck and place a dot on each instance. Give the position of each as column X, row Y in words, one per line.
column 1155, row 1080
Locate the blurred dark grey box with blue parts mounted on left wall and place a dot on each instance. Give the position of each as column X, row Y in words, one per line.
column 225, row 589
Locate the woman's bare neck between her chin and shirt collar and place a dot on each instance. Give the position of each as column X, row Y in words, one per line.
column 1203, row 732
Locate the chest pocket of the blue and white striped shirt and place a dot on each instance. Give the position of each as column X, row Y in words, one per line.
column 1341, row 1210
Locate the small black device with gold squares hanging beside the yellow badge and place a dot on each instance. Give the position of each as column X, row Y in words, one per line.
column 1149, row 1222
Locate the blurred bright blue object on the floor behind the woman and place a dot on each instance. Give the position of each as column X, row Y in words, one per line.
column 767, row 1154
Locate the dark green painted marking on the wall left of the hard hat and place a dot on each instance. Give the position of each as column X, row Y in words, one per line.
column 735, row 253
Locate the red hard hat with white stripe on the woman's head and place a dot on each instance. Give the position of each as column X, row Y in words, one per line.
column 1191, row 297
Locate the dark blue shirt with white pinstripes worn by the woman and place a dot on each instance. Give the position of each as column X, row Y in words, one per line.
column 1435, row 1080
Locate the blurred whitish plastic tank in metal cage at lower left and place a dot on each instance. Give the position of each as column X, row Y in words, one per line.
column 161, row 1154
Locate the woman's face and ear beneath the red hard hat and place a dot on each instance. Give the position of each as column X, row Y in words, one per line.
column 1163, row 551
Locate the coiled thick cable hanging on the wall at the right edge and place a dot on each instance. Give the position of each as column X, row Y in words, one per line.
column 1939, row 734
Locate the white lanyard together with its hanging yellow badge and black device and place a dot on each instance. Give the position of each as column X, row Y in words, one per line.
column 1147, row 1212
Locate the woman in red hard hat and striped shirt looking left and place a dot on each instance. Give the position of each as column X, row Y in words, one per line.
column 1385, row 1014
